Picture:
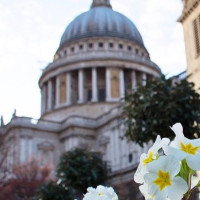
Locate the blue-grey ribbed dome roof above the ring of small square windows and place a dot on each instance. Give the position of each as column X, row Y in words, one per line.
column 101, row 21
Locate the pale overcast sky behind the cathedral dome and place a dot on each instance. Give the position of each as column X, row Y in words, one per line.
column 30, row 32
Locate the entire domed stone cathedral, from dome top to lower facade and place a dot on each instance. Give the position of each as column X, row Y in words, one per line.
column 100, row 57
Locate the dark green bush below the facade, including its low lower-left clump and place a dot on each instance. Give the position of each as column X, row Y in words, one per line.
column 76, row 171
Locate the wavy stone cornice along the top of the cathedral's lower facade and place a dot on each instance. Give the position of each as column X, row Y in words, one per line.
column 58, row 127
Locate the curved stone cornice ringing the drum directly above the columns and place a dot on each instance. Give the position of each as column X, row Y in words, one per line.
column 96, row 57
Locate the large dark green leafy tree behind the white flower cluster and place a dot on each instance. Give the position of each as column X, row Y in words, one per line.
column 153, row 108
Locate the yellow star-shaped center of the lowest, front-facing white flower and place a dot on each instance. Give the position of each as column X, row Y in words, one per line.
column 163, row 180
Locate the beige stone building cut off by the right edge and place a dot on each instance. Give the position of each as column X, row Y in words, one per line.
column 190, row 20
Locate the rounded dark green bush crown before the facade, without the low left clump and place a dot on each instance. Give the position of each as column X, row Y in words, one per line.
column 81, row 169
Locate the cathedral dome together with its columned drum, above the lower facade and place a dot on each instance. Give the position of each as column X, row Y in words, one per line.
column 100, row 56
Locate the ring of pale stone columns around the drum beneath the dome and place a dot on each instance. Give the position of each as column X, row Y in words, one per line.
column 51, row 90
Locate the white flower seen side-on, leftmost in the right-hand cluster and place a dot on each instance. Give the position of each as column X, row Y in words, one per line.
column 149, row 157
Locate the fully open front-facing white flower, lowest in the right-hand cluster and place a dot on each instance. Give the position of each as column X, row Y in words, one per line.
column 162, row 181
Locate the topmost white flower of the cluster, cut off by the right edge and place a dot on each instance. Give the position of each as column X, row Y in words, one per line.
column 184, row 148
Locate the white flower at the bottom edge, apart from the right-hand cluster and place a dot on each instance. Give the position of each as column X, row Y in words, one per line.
column 100, row 193
